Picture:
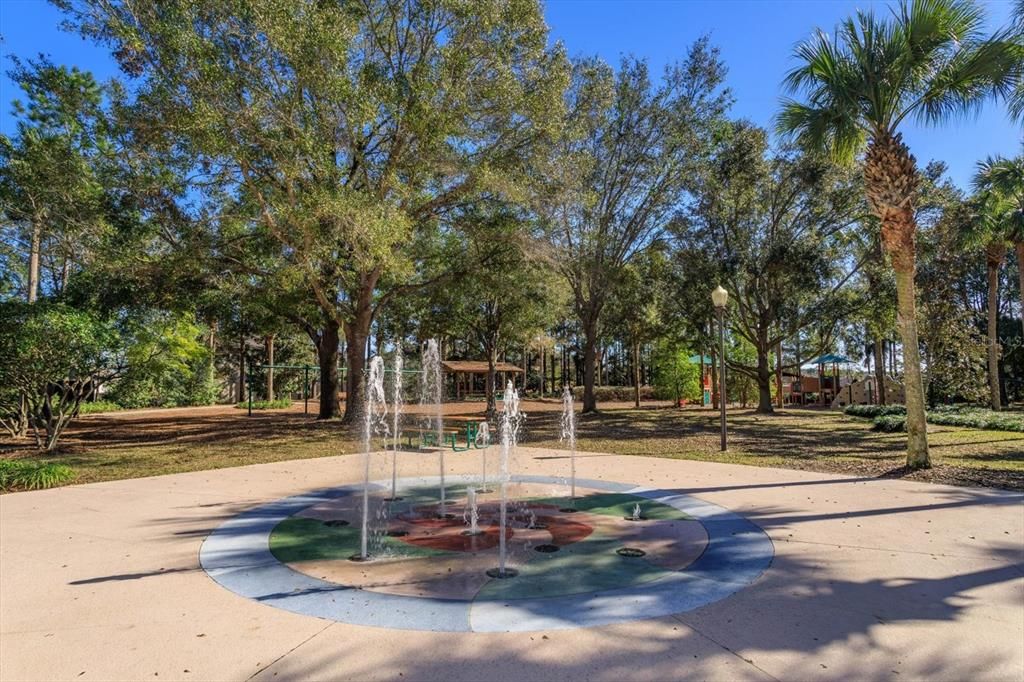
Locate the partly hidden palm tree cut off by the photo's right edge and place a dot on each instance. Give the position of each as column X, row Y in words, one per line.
column 1000, row 184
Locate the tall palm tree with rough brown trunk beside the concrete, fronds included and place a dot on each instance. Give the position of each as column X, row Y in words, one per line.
column 928, row 61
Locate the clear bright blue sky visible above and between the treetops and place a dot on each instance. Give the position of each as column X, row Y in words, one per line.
column 756, row 38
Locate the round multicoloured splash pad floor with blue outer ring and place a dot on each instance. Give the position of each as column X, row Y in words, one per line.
column 429, row 574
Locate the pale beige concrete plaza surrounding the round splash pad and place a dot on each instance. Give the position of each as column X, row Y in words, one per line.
column 872, row 580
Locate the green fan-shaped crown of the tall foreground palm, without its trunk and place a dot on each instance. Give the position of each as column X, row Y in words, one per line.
column 929, row 60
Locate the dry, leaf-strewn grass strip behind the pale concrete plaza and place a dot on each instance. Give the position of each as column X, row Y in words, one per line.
column 145, row 443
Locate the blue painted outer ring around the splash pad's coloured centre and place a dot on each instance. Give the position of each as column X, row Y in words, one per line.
column 238, row 557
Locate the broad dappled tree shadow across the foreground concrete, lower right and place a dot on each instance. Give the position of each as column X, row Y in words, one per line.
column 799, row 622
